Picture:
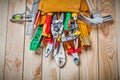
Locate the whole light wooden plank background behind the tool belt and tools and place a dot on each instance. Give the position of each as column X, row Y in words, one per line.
column 17, row 62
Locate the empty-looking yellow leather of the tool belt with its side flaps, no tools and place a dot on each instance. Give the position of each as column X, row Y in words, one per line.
column 48, row 6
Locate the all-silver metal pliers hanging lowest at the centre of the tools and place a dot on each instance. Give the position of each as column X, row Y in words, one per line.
column 56, row 30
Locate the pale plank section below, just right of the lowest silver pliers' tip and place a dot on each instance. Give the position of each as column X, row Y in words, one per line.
column 70, row 71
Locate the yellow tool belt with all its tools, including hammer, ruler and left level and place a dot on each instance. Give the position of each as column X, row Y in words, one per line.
column 62, row 29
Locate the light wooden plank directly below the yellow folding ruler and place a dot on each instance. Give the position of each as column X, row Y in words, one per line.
column 89, row 59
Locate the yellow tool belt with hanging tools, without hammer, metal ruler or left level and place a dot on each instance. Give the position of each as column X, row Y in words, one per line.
column 57, row 37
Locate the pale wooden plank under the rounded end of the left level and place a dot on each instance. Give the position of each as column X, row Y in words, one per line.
column 15, row 43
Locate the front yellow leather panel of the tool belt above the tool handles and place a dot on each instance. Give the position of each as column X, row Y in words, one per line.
column 47, row 6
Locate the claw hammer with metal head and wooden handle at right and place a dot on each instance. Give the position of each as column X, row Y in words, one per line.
column 96, row 17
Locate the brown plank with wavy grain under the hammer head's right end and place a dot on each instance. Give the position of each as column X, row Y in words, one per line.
column 107, row 43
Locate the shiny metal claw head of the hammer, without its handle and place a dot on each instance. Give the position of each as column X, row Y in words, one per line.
column 96, row 19
